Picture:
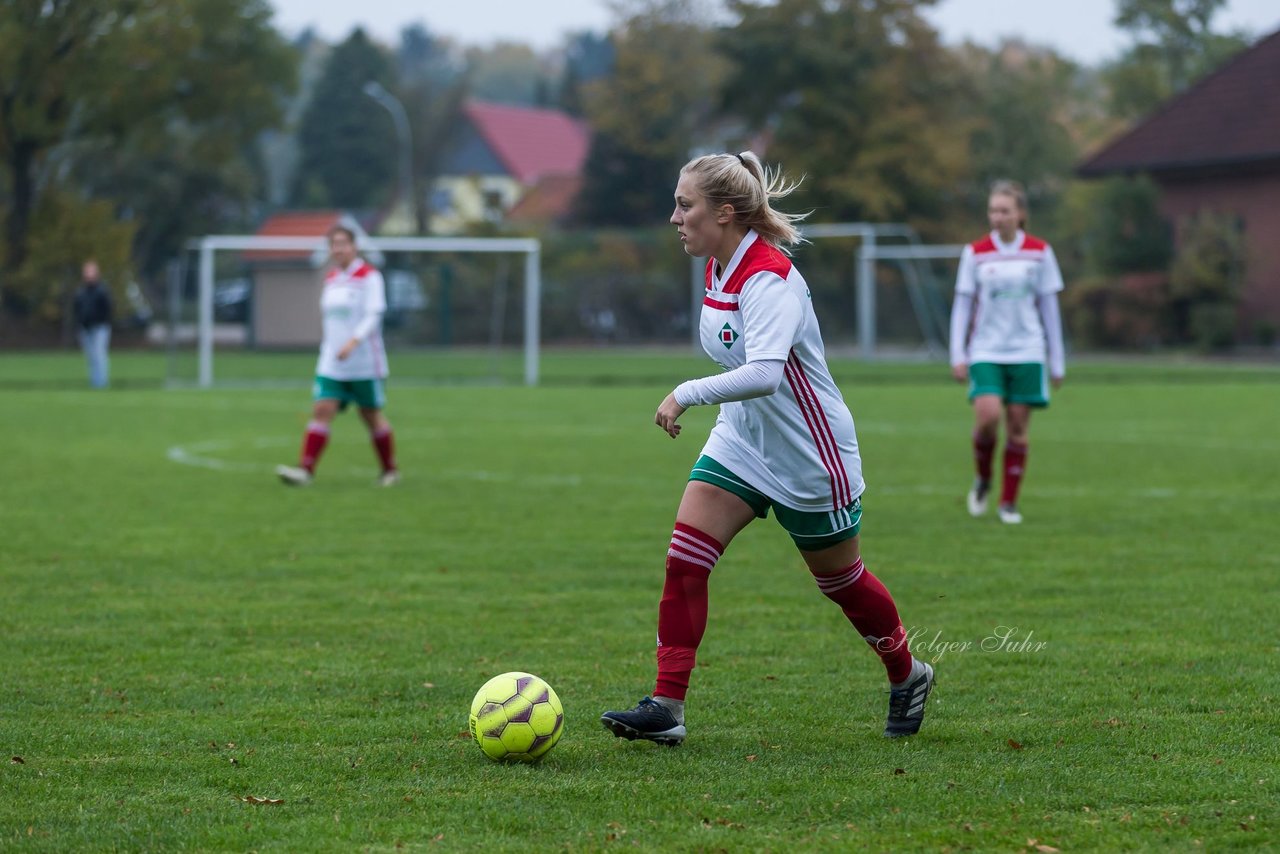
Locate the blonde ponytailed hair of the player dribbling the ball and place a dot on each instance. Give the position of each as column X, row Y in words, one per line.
column 744, row 184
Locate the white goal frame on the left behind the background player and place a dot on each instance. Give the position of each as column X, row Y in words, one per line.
column 529, row 248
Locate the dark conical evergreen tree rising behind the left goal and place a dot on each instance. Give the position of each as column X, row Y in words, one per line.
column 345, row 162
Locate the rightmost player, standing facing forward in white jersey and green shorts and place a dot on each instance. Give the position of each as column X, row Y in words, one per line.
column 1005, row 326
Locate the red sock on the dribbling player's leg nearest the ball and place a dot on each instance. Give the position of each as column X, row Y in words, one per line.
column 683, row 611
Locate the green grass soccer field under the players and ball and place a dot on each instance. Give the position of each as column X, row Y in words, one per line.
column 182, row 633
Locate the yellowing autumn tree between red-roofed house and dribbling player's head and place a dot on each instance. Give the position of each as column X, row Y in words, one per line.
column 647, row 113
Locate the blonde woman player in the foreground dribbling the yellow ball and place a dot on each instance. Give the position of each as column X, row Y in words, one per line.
column 784, row 441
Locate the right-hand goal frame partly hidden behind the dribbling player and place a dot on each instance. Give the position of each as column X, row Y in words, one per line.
column 871, row 250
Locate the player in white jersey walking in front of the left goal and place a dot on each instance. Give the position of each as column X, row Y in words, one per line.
column 353, row 363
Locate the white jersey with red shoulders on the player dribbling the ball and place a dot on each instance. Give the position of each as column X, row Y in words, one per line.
column 797, row 446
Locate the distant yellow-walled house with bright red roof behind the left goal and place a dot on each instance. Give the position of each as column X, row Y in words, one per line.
column 505, row 154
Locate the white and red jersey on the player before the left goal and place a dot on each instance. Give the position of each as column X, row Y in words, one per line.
column 353, row 305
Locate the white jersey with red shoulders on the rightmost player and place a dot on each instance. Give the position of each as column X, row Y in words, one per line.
column 1007, row 281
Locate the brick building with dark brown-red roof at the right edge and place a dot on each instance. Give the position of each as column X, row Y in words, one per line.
column 1217, row 148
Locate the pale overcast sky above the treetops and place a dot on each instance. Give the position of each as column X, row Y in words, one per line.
column 1077, row 29
